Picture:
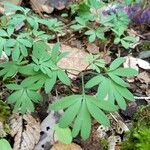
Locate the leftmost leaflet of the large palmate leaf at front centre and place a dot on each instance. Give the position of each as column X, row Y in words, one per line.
column 65, row 102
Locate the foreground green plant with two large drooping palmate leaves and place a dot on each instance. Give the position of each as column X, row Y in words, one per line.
column 79, row 109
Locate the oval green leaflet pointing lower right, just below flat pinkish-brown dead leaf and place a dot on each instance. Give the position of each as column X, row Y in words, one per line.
column 63, row 77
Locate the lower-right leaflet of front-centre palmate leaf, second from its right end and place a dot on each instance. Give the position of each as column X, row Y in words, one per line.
column 97, row 113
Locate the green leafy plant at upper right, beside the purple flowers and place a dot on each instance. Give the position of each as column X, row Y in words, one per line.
column 116, row 22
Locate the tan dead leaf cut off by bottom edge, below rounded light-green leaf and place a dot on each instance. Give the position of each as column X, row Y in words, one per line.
column 60, row 146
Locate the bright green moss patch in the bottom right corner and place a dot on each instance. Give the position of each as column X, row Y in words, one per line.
column 139, row 136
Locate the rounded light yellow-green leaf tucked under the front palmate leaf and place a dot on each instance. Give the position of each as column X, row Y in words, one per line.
column 63, row 134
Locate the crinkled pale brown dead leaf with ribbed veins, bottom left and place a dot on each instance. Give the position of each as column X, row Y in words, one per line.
column 25, row 130
